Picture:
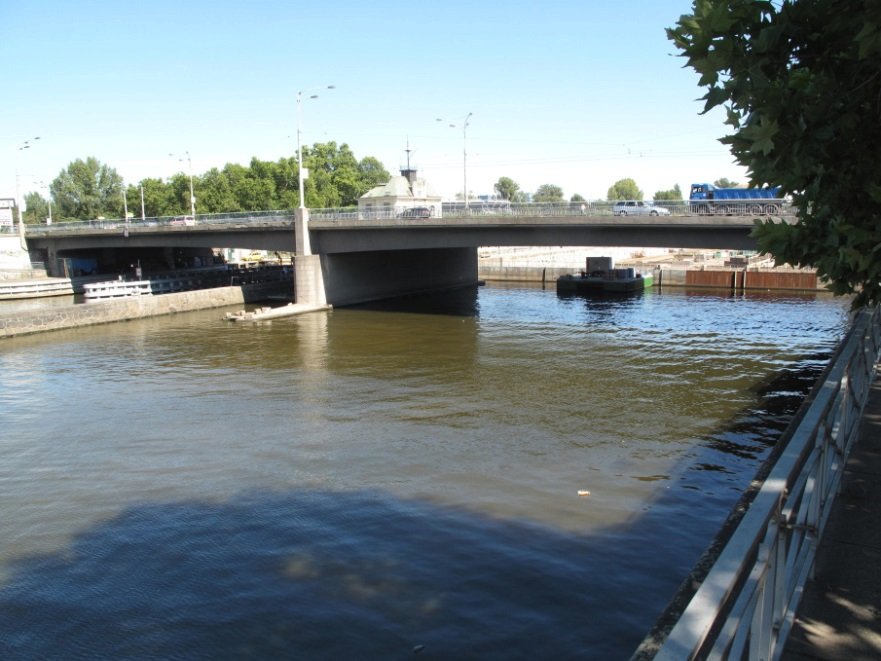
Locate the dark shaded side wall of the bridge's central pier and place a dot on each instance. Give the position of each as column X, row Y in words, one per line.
column 359, row 277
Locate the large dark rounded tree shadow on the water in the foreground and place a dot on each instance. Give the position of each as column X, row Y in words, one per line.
column 315, row 574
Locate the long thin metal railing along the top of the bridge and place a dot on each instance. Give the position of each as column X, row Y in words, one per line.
column 450, row 210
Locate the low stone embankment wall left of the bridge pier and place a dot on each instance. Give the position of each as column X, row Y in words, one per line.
column 103, row 312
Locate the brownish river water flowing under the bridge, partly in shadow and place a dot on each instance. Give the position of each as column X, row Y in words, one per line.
column 381, row 481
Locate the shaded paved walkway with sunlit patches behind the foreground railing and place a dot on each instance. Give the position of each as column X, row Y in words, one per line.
column 840, row 613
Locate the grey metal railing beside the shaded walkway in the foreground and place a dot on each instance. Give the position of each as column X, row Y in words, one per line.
column 746, row 604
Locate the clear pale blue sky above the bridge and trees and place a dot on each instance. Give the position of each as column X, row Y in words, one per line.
column 576, row 93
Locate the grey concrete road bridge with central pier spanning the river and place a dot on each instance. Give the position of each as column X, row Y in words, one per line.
column 346, row 258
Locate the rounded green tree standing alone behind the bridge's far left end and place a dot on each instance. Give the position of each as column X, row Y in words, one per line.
column 87, row 189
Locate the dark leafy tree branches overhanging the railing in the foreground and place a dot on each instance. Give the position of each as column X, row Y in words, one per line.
column 800, row 84
